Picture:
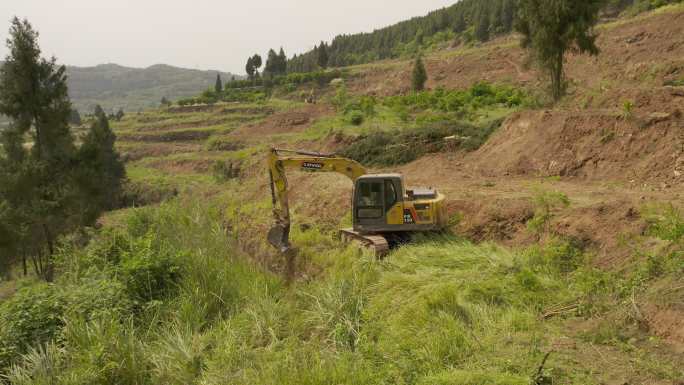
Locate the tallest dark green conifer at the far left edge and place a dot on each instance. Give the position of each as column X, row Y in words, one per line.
column 36, row 188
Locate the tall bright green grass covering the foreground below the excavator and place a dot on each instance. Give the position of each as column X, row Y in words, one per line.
column 438, row 311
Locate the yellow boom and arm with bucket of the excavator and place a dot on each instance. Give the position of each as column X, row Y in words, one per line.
column 278, row 162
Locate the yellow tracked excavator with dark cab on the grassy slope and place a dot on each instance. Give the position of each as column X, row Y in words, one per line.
column 382, row 207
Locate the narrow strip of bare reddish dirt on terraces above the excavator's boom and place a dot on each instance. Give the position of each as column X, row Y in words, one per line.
column 285, row 122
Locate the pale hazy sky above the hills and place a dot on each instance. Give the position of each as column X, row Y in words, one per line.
column 203, row 34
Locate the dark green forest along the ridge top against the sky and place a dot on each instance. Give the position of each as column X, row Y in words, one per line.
column 464, row 22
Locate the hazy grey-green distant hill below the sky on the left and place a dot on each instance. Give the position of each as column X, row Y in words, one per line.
column 114, row 86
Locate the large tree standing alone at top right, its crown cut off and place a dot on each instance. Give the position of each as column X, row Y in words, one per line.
column 552, row 28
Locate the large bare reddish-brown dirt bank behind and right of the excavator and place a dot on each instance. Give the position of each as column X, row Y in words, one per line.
column 592, row 145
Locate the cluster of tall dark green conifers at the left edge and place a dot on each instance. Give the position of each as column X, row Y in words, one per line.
column 52, row 182
